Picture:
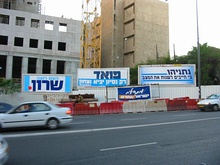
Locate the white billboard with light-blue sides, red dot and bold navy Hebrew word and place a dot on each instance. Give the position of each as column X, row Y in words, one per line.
column 47, row 83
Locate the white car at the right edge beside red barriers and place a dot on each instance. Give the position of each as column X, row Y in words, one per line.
column 212, row 102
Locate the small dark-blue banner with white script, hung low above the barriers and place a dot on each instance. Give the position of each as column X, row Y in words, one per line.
column 134, row 93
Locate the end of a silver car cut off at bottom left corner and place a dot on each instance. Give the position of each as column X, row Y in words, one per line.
column 3, row 150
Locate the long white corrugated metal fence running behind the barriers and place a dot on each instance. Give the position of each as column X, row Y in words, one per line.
column 109, row 94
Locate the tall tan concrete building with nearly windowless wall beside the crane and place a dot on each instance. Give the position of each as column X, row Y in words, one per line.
column 134, row 31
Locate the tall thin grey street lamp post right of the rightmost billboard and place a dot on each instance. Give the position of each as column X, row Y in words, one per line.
column 198, row 51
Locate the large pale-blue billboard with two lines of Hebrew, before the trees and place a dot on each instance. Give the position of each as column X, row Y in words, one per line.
column 182, row 74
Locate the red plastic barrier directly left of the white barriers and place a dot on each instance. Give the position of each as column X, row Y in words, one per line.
column 110, row 108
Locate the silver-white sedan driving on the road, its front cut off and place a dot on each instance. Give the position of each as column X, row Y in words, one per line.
column 38, row 113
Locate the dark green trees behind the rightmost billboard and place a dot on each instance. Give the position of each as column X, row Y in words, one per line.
column 209, row 62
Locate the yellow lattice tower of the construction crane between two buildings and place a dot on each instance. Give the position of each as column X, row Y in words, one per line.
column 90, row 52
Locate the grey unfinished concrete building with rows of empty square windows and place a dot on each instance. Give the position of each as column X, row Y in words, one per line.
column 35, row 43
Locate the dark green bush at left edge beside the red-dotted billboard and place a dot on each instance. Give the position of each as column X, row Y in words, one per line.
column 9, row 86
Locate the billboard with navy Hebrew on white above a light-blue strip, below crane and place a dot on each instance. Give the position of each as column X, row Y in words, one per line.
column 103, row 77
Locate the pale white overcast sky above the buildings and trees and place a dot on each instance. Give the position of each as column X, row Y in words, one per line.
column 182, row 21
